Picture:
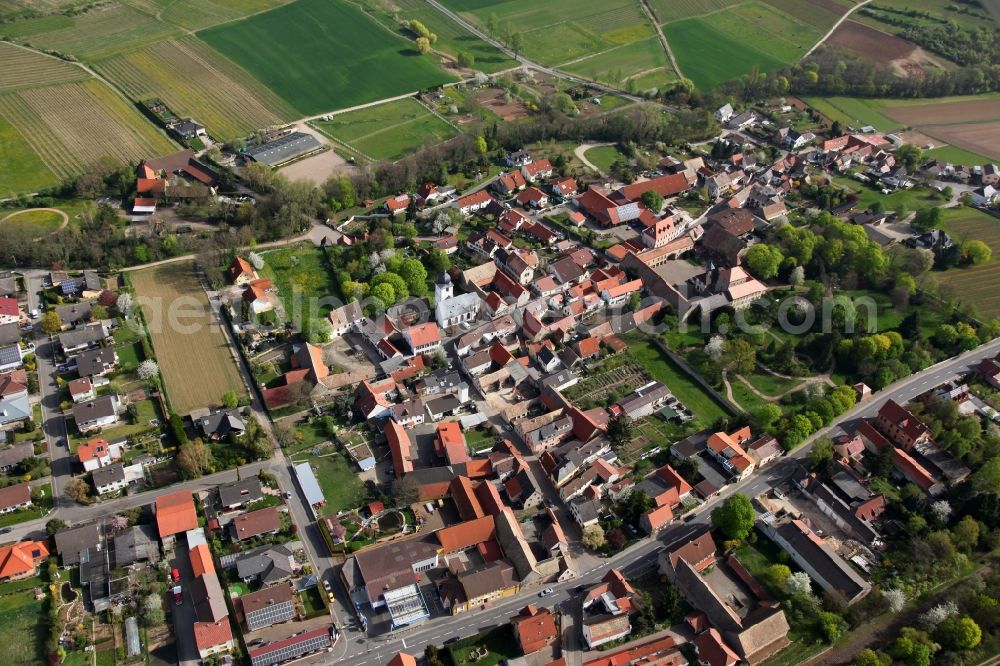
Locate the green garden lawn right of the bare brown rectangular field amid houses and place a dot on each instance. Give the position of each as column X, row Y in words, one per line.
column 300, row 275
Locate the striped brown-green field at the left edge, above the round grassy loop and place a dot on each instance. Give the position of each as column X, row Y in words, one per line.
column 73, row 125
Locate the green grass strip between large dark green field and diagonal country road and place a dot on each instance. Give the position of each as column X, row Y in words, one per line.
column 452, row 38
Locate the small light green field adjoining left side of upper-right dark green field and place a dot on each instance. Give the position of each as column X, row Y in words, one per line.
column 643, row 61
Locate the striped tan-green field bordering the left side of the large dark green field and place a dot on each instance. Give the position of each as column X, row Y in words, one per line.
column 195, row 81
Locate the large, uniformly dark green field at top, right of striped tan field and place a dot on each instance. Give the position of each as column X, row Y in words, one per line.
column 320, row 55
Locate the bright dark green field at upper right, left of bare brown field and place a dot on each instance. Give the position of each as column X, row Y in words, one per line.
column 713, row 49
